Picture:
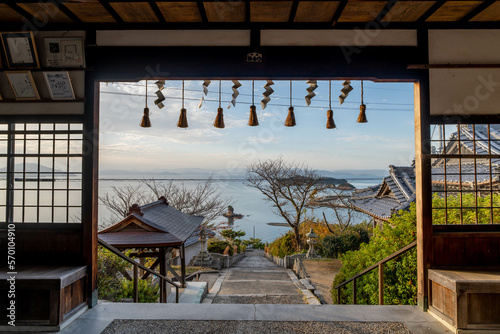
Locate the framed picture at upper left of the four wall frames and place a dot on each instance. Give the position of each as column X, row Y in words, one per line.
column 20, row 50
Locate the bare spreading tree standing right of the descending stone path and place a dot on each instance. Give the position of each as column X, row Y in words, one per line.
column 287, row 186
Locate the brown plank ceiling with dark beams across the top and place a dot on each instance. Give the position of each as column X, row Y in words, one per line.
column 250, row 12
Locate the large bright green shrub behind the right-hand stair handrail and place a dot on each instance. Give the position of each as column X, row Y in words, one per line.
column 400, row 274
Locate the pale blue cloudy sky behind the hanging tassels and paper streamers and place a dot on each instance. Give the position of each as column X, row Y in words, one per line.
column 387, row 138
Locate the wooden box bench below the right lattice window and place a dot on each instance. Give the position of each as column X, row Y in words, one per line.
column 465, row 299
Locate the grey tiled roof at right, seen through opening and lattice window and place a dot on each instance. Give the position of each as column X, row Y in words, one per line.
column 398, row 189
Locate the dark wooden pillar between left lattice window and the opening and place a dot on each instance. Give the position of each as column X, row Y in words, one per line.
column 90, row 179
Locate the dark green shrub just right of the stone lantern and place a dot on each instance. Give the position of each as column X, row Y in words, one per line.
column 351, row 239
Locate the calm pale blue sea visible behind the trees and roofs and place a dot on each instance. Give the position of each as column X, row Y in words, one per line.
column 249, row 202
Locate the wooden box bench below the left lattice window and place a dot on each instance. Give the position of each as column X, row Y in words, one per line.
column 45, row 295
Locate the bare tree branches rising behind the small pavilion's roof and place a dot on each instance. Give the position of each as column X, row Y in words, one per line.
column 203, row 200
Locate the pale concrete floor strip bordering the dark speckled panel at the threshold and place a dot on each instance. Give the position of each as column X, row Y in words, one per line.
column 94, row 321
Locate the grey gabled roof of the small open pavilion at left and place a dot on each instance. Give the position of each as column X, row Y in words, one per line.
column 152, row 225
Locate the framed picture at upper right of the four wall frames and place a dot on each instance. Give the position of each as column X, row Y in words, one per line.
column 65, row 52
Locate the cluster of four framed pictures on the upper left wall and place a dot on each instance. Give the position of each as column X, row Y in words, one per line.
column 30, row 71
